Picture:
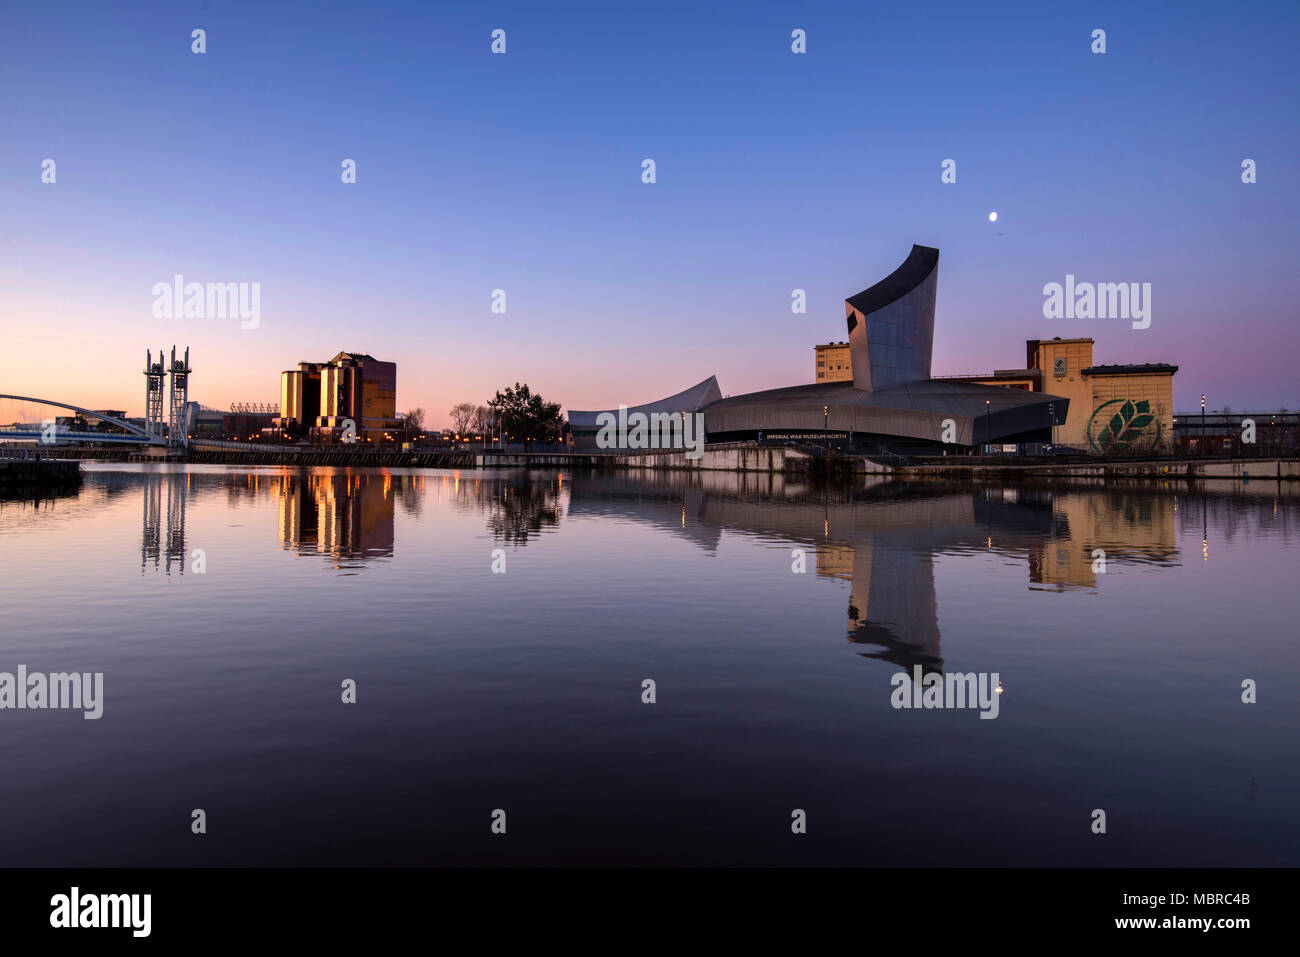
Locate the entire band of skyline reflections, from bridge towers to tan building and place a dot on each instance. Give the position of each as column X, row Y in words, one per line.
column 879, row 538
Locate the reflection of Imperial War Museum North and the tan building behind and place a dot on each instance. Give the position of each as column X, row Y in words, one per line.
column 882, row 538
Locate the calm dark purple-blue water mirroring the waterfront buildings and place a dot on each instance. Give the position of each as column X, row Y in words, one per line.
column 523, row 691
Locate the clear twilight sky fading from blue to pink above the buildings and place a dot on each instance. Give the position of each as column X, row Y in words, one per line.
column 523, row 172
